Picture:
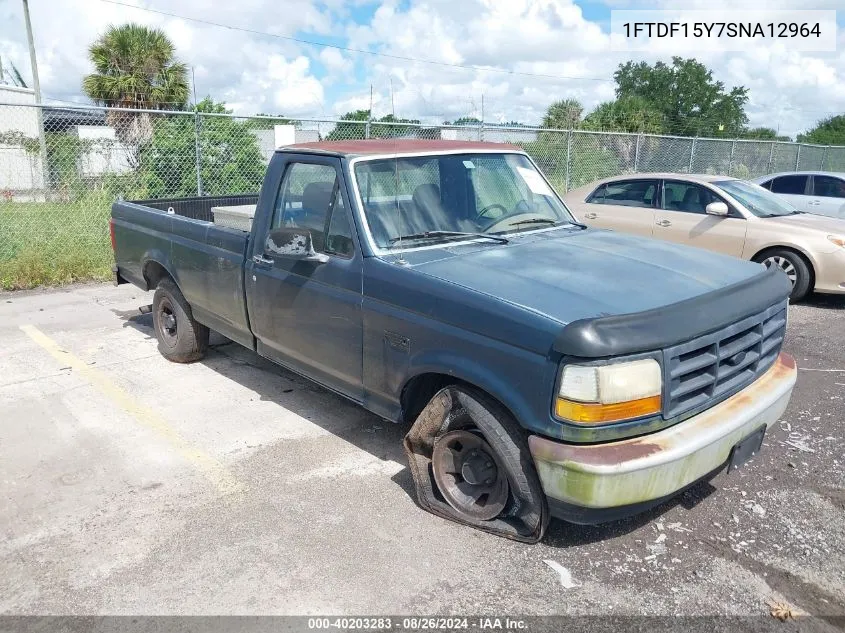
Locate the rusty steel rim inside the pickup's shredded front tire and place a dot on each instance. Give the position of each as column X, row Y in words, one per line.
column 469, row 476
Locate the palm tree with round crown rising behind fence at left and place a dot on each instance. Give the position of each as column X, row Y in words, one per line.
column 135, row 67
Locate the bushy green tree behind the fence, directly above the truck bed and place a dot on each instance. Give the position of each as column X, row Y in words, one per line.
column 230, row 158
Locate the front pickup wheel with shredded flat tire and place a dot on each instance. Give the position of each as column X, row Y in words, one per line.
column 471, row 464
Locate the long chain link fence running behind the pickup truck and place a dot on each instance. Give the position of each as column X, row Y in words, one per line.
column 56, row 188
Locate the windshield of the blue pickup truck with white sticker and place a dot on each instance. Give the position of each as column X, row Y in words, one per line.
column 417, row 200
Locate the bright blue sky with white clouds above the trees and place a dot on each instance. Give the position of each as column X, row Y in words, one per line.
column 562, row 48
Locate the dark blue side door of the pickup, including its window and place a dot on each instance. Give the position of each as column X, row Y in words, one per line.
column 306, row 314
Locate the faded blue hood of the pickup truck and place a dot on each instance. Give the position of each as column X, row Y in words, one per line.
column 572, row 274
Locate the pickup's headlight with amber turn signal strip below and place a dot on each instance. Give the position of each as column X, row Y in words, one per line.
column 609, row 393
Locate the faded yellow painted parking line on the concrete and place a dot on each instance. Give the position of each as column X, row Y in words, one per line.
column 145, row 416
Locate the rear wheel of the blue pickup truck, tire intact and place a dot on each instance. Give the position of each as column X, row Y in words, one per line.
column 181, row 339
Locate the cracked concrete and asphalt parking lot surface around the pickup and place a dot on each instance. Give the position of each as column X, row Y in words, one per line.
column 131, row 485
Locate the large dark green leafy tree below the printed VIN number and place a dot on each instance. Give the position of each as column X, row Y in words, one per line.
column 691, row 102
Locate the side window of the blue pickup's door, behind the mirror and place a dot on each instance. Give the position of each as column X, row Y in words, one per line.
column 309, row 198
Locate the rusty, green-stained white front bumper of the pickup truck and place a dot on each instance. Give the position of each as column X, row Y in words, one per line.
column 599, row 482
